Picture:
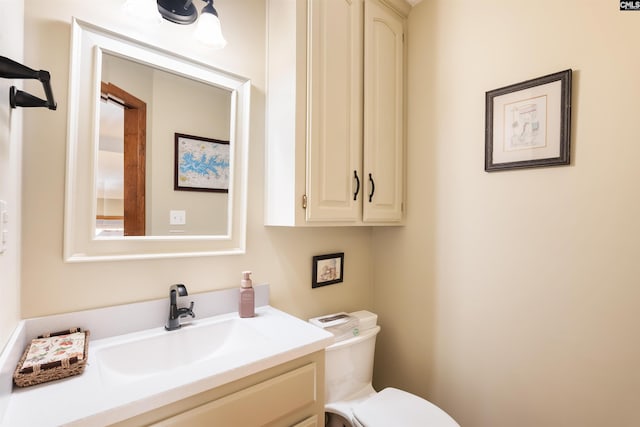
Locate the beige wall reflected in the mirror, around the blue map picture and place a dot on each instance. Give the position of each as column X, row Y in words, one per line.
column 195, row 109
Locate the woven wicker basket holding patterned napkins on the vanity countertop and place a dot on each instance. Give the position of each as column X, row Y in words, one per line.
column 54, row 368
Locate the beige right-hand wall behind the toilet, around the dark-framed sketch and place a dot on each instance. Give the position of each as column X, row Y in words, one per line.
column 512, row 298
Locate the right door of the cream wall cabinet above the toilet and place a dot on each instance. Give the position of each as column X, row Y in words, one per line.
column 383, row 113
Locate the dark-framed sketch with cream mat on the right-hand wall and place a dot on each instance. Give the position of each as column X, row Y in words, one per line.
column 528, row 124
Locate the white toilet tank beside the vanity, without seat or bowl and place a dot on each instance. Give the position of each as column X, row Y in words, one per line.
column 349, row 363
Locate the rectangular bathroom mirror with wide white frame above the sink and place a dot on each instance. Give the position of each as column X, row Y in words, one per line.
column 157, row 152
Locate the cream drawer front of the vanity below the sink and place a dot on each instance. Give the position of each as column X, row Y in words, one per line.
column 257, row 405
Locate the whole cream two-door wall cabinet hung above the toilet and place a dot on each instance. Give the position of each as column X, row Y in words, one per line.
column 335, row 142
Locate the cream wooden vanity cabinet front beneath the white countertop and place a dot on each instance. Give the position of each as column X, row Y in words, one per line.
column 289, row 395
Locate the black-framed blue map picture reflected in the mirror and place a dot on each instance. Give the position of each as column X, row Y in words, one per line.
column 201, row 164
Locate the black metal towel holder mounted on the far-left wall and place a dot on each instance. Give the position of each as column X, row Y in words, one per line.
column 10, row 69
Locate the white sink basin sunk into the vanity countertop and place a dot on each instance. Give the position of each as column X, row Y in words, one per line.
column 159, row 351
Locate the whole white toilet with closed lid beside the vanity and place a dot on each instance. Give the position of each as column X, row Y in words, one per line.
column 350, row 399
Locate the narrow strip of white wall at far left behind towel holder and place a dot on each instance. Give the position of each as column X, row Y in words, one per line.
column 11, row 40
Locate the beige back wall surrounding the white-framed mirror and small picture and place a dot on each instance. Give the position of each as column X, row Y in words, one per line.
column 281, row 257
